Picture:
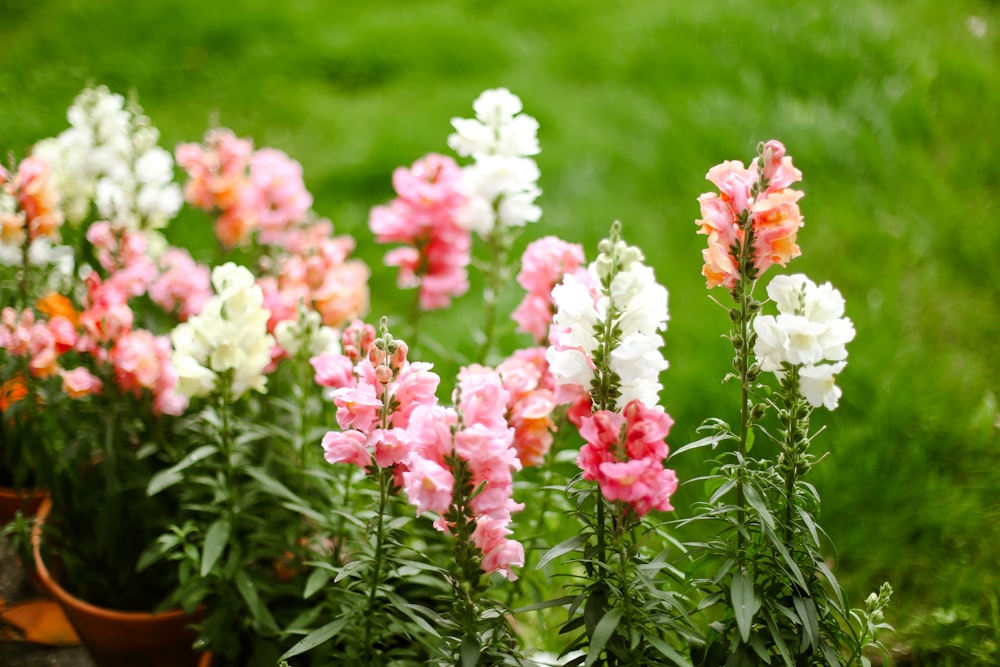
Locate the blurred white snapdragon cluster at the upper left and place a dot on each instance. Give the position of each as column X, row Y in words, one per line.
column 109, row 157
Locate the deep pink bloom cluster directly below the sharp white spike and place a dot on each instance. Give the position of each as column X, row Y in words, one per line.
column 624, row 455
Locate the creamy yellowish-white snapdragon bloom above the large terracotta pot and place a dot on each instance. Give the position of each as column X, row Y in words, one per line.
column 228, row 335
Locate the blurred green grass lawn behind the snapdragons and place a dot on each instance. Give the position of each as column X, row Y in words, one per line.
column 890, row 109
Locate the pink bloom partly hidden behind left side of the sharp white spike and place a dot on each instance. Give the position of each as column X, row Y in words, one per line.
column 543, row 265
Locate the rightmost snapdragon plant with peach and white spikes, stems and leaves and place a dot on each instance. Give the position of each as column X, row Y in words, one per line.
column 783, row 601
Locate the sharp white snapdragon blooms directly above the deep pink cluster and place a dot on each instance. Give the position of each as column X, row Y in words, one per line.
column 639, row 308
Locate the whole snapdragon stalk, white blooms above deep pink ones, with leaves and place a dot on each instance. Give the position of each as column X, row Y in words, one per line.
column 606, row 342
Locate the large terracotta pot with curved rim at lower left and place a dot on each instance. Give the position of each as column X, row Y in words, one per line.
column 120, row 638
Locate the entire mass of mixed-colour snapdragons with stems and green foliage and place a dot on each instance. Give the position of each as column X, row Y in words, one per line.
column 328, row 495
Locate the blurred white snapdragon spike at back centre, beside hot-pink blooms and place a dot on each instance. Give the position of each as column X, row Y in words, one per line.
column 501, row 184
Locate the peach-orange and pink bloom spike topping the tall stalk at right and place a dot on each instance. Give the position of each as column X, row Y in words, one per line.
column 752, row 223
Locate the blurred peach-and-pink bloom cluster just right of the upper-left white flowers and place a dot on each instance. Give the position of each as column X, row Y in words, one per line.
column 250, row 191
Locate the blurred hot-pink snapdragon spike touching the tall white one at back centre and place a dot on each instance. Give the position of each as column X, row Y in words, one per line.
column 424, row 217
